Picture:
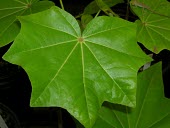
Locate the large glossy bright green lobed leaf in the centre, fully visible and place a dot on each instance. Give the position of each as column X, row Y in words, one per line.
column 78, row 71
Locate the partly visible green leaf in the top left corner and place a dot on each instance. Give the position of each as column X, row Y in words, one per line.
column 10, row 9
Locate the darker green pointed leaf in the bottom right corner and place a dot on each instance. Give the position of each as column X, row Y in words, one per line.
column 152, row 108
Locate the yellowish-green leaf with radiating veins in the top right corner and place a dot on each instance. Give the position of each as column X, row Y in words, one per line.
column 153, row 28
